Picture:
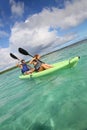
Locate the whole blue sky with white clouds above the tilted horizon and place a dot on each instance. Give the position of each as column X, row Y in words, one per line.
column 39, row 26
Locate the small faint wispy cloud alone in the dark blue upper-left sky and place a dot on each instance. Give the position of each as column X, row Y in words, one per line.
column 17, row 8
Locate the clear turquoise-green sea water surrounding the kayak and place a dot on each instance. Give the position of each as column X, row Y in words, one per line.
column 57, row 101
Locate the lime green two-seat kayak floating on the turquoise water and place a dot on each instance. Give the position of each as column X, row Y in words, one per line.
column 56, row 66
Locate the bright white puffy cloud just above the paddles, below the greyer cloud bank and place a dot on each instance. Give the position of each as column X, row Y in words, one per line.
column 36, row 39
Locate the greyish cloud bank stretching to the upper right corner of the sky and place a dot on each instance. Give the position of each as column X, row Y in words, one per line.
column 71, row 16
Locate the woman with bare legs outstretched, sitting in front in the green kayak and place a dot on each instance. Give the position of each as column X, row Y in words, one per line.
column 39, row 65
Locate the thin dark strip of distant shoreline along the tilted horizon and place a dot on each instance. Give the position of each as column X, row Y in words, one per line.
column 14, row 67
